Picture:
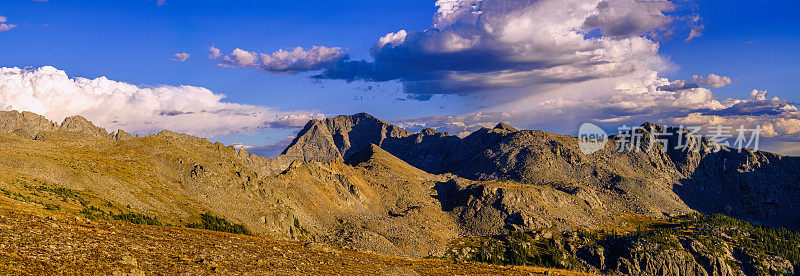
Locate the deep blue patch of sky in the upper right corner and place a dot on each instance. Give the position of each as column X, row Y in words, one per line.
column 756, row 42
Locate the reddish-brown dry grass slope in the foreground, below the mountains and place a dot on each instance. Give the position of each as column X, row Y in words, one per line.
column 43, row 243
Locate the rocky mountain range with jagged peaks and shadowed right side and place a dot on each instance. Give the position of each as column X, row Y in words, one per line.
column 359, row 182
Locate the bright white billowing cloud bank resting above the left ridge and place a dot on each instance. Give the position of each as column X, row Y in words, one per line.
column 118, row 105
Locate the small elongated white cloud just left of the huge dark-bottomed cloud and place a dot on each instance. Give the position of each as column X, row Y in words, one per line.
column 282, row 61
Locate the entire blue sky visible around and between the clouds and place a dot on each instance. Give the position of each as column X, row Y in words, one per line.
column 133, row 41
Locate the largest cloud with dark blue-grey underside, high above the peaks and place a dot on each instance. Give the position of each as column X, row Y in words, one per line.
column 488, row 45
